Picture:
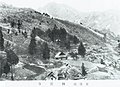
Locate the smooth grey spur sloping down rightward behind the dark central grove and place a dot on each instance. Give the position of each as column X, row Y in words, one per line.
column 84, row 33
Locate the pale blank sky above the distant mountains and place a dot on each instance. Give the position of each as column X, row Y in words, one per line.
column 82, row 5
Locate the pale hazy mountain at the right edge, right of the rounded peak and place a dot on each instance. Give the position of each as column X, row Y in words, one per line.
column 109, row 20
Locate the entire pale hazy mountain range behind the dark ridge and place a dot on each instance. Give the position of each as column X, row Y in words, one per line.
column 109, row 20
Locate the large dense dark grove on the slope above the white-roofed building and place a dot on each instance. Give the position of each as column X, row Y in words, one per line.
column 61, row 37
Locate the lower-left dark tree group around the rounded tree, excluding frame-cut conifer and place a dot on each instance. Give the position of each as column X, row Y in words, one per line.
column 12, row 59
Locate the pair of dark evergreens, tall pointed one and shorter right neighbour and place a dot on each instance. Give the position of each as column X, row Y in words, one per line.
column 34, row 49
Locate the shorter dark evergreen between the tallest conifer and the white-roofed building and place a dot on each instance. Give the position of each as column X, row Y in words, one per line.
column 46, row 51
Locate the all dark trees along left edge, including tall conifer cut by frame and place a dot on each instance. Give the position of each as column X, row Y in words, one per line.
column 12, row 58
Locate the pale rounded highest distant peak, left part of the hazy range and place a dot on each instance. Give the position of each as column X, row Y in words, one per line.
column 62, row 11
